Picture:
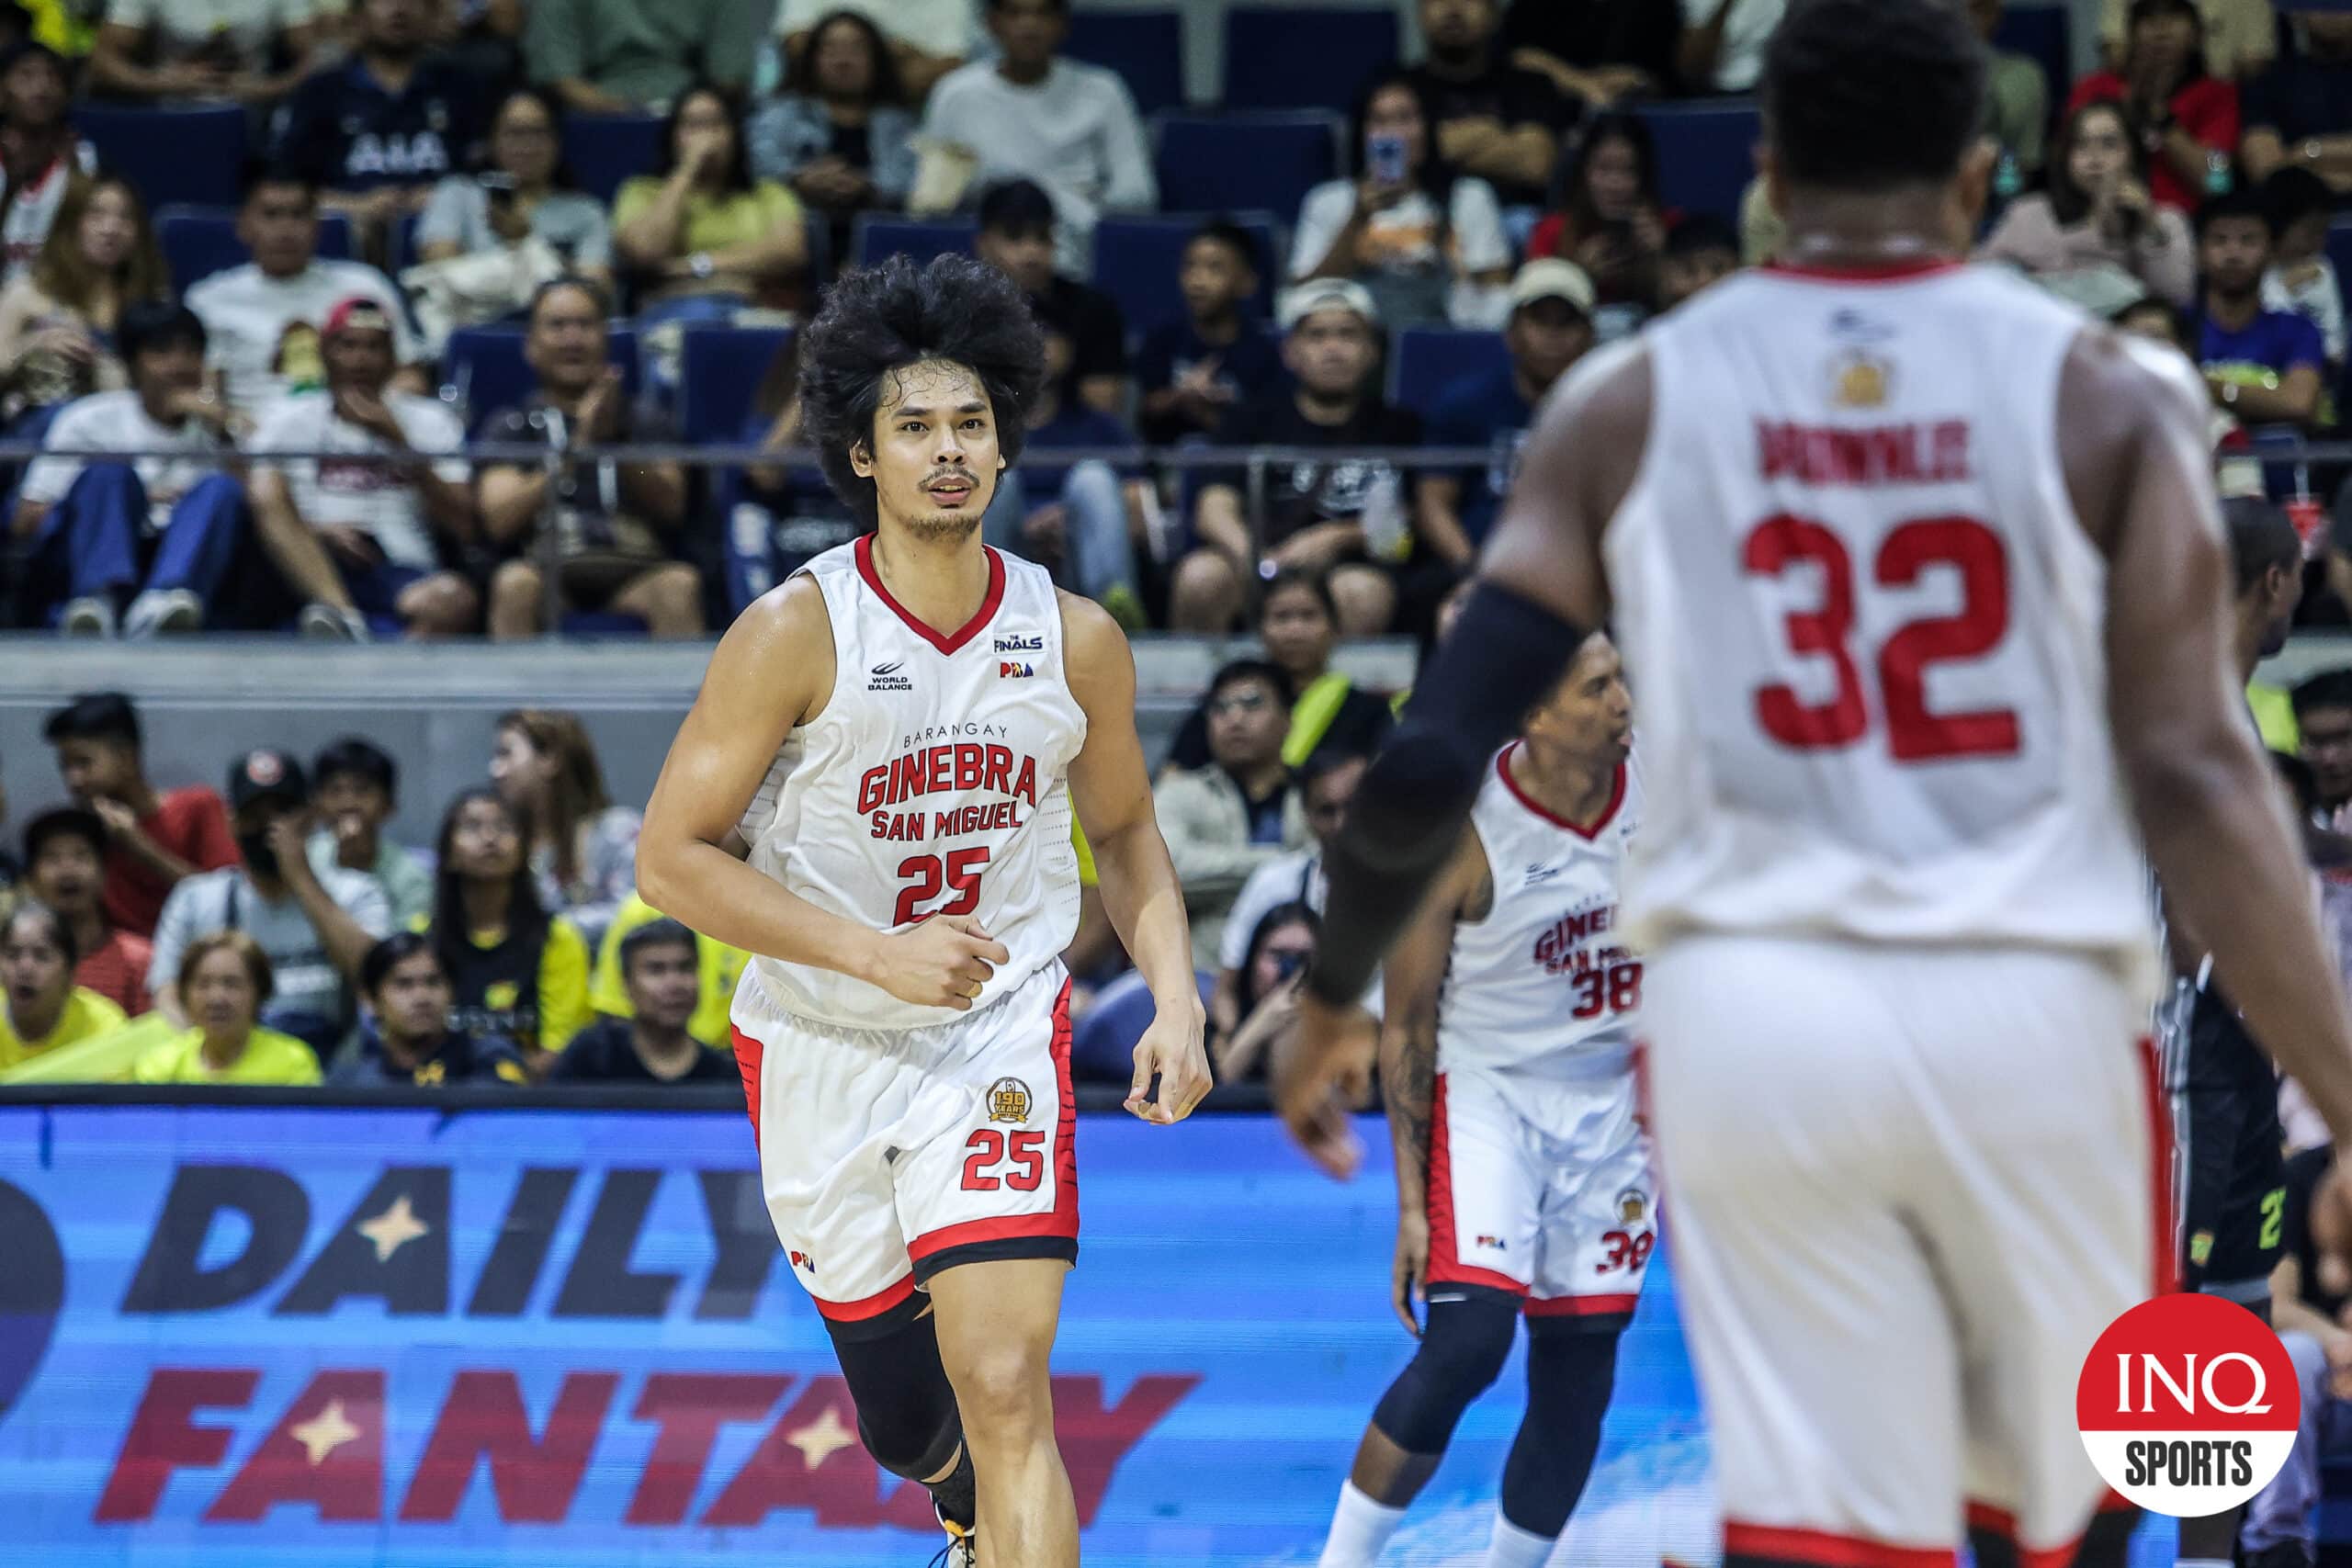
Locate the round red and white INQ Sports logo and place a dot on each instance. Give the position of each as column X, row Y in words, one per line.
column 2189, row 1405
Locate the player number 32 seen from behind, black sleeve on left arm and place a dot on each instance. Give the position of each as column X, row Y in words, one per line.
column 1916, row 572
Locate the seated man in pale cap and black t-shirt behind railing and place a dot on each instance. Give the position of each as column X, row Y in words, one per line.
column 1349, row 516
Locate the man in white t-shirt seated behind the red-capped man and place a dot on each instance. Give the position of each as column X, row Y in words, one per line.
column 265, row 316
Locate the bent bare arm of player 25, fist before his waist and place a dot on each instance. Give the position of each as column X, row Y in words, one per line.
column 770, row 674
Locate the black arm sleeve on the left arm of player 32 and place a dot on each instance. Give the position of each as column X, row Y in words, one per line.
column 1408, row 815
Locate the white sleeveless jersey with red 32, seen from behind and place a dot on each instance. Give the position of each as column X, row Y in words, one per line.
column 1864, row 624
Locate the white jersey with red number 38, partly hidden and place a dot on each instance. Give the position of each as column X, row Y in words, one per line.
column 1544, row 979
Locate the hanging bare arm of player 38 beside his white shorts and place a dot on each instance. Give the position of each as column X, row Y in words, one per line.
column 1410, row 989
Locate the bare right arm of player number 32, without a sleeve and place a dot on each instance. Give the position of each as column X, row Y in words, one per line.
column 2210, row 815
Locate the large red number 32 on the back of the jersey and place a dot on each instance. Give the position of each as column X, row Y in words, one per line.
column 1913, row 735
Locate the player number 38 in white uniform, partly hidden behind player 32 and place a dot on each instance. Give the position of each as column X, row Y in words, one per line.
column 1523, row 1177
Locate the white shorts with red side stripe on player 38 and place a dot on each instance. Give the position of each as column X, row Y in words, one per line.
column 1542, row 1188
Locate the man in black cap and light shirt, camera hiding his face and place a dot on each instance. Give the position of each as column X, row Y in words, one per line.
column 316, row 927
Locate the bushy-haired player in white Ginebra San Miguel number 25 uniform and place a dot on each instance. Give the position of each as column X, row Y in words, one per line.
column 897, row 735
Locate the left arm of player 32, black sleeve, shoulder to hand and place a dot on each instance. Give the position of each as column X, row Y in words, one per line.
column 1539, row 591
